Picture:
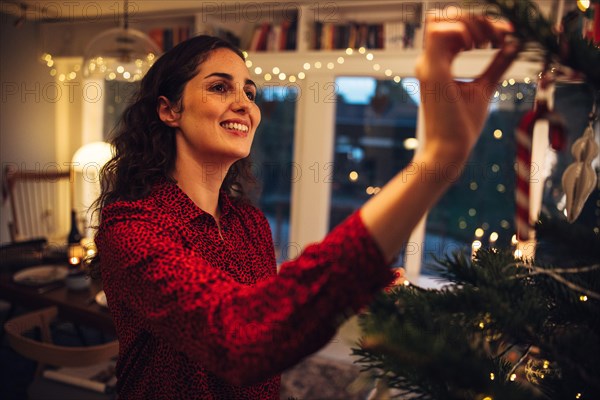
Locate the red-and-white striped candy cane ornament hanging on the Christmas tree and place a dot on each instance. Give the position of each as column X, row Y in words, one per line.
column 532, row 139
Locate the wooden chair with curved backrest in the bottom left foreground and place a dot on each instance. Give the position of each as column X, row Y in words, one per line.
column 46, row 353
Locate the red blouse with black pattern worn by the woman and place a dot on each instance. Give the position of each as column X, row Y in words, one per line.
column 204, row 317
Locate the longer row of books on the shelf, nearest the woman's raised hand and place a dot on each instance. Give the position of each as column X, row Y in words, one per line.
column 389, row 35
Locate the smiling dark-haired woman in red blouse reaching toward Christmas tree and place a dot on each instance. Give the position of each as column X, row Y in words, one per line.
column 188, row 266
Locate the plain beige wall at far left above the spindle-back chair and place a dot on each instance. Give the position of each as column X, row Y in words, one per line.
column 27, row 123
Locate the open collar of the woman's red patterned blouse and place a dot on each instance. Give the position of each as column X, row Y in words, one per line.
column 171, row 198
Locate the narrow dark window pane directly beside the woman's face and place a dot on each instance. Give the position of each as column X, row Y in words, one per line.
column 272, row 154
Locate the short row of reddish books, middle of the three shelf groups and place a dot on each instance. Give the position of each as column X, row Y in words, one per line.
column 274, row 37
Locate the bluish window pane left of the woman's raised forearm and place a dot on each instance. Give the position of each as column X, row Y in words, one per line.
column 374, row 138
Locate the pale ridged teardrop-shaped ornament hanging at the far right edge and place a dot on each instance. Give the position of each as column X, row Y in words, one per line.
column 579, row 179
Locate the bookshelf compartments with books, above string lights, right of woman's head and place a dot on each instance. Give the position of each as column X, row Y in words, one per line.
column 306, row 26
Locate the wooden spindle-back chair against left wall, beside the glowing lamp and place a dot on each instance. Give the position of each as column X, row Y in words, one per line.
column 40, row 202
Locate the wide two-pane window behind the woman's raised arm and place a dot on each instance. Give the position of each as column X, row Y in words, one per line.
column 375, row 138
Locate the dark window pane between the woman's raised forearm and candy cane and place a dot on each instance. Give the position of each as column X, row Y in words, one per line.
column 480, row 204
